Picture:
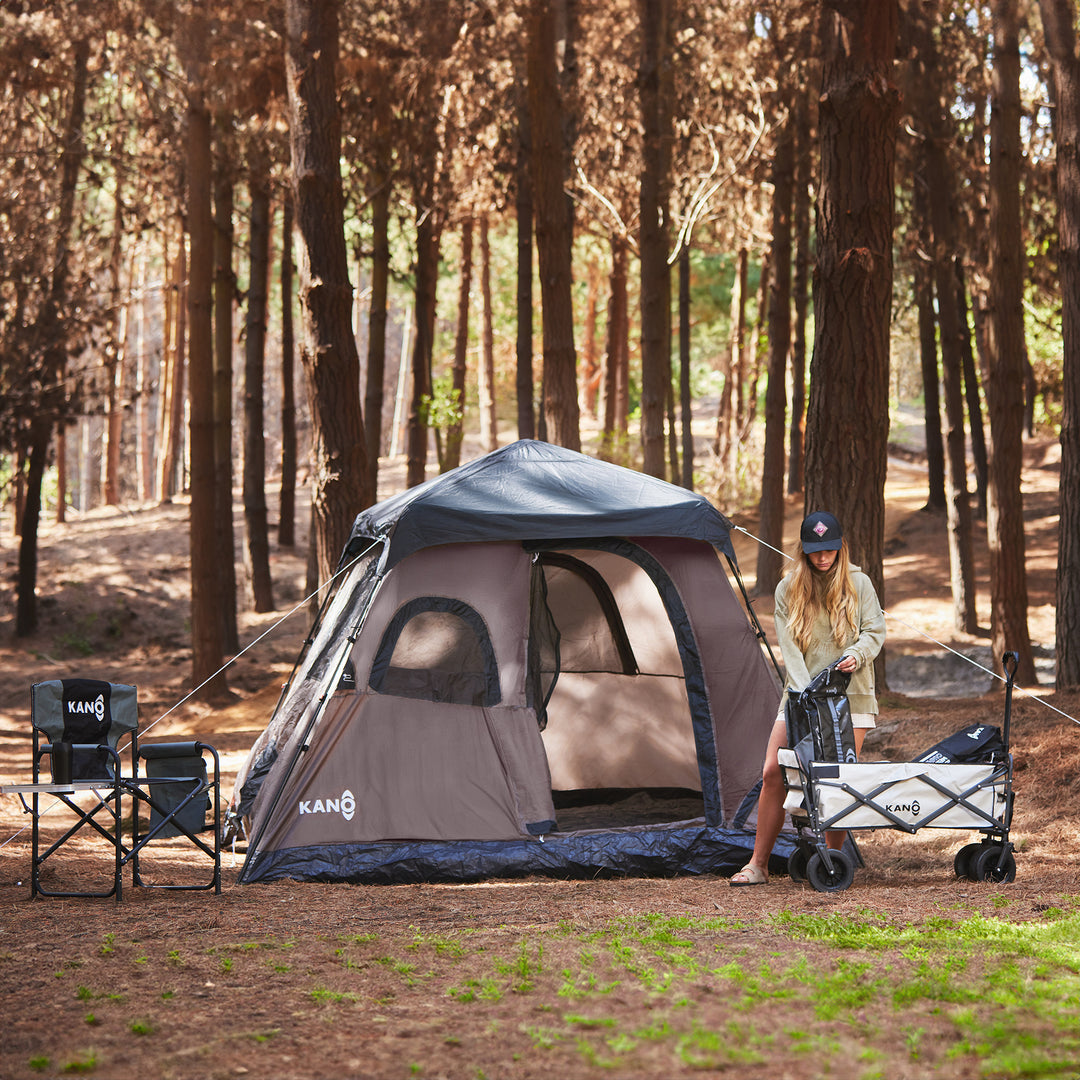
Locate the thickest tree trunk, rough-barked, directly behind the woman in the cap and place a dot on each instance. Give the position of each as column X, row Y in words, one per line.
column 848, row 413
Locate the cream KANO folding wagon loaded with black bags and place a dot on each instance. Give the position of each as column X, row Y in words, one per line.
column 963, row 784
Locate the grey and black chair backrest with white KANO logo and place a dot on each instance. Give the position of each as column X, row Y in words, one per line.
column 85, row 711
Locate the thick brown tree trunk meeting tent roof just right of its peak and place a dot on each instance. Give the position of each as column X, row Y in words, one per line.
column 552, row 228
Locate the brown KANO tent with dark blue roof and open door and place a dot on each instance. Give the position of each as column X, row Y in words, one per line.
column 536, row 664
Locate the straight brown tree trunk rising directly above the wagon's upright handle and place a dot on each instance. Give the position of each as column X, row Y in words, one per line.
column 1005, row 523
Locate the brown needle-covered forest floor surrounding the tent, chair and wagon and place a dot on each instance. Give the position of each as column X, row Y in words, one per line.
column 302, row 980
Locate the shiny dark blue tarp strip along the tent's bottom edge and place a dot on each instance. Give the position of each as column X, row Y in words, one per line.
column 679, row 848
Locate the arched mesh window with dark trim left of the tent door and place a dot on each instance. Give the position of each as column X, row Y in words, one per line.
column 438, row 650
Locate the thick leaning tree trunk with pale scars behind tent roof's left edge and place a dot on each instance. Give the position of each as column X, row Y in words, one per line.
column 341, row 488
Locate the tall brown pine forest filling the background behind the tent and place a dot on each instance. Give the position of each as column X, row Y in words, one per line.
column 529, row 220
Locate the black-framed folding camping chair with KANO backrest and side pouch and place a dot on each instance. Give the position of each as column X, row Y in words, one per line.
column 79, row 724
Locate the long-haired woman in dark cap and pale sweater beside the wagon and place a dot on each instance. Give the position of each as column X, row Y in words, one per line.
column 826, row 611
